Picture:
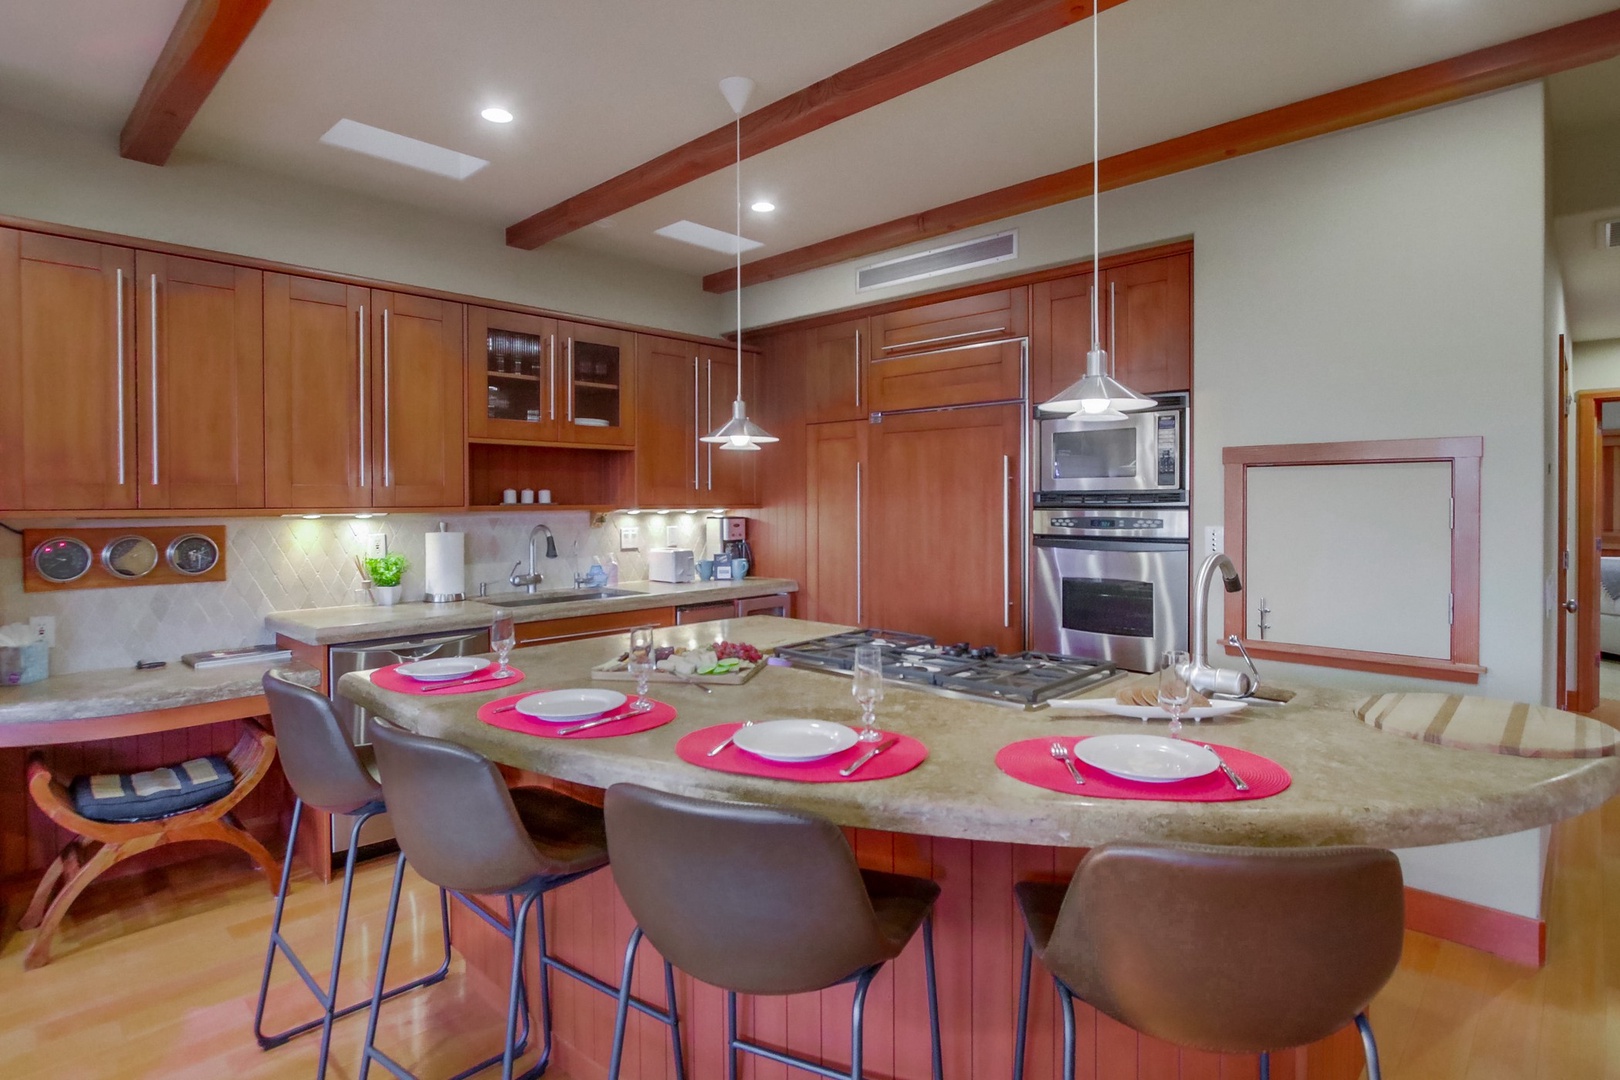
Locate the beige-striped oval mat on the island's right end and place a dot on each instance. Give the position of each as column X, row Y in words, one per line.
column 1506, row 728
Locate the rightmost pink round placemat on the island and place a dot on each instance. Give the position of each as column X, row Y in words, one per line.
column 1033, row 763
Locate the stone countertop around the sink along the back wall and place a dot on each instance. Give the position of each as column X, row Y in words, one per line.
column 362, row 623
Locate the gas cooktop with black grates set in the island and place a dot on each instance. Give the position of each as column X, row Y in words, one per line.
column 1020, row 679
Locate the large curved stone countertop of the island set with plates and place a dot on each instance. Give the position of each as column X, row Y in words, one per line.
column 1352, row 784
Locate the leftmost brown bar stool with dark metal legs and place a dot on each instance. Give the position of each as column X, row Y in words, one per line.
column 328, row 773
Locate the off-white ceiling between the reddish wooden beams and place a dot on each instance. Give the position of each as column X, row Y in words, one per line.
column 600, row 87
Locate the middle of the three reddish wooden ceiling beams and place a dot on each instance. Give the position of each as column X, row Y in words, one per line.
column 961, row 43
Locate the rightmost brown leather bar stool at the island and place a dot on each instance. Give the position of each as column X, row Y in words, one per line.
column 1230, row 950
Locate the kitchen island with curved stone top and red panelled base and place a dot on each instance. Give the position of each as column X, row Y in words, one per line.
column 961, row 822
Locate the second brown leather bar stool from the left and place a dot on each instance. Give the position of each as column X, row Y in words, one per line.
column 466, row 831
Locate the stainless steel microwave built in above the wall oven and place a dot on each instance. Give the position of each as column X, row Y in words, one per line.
column 1146, row 453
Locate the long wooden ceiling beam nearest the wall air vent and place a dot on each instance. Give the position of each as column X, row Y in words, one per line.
column 1520, row 61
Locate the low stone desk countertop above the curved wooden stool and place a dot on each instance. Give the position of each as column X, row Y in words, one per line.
column 124, row 691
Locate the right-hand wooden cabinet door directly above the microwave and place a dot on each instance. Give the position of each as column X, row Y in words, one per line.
column 1151, row 323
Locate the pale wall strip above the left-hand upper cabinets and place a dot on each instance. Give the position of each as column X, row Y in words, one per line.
column 69, row 177
